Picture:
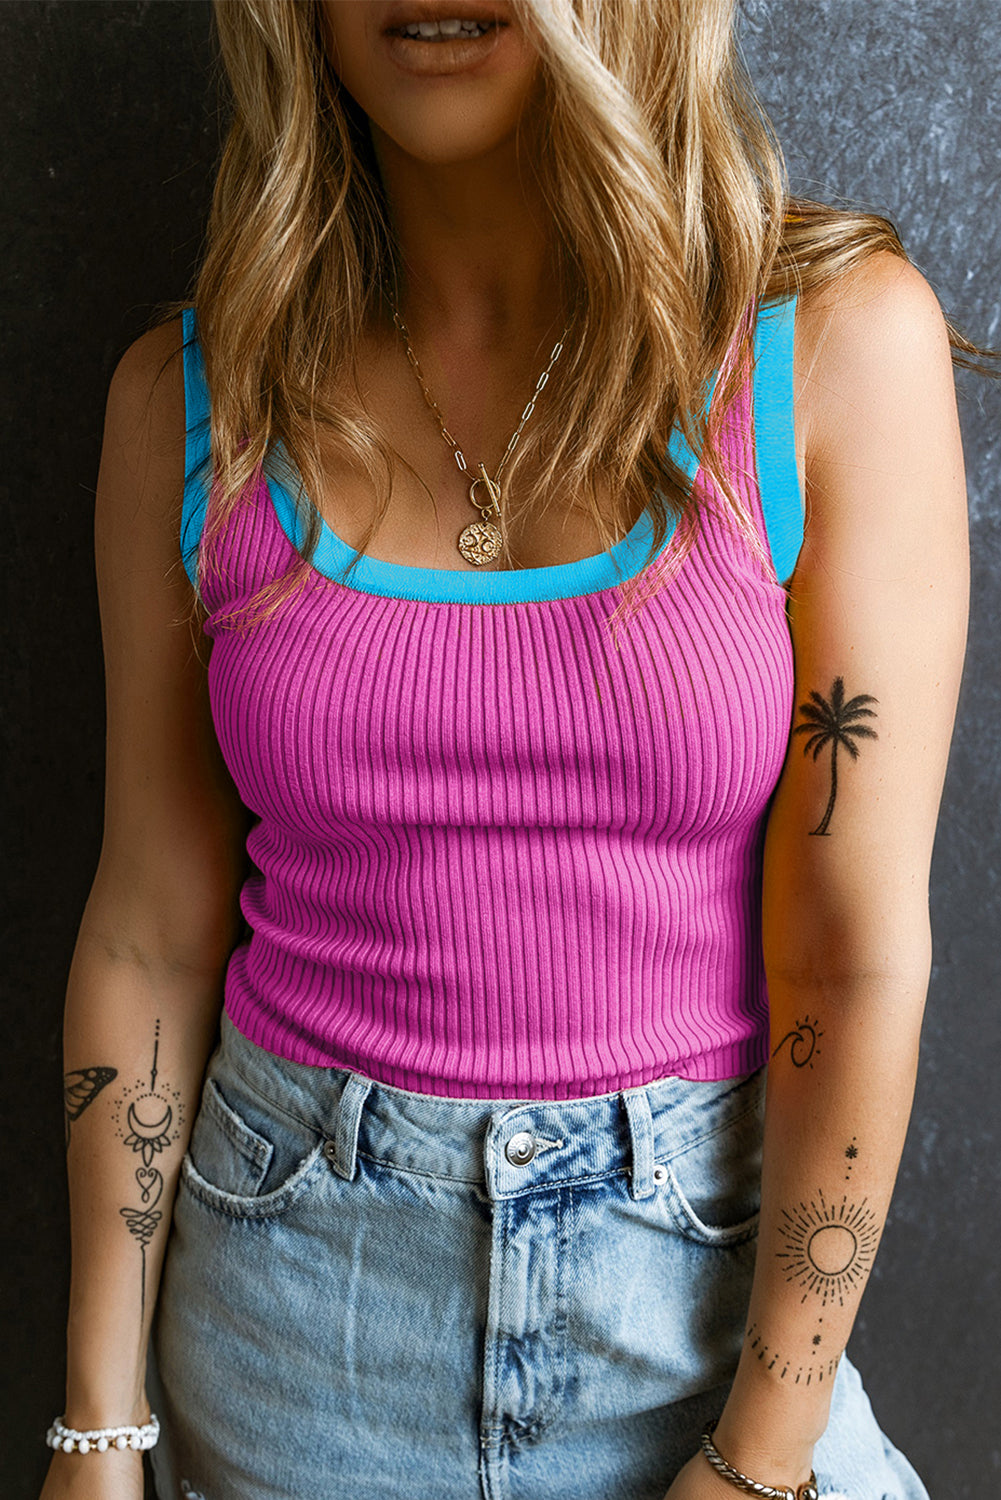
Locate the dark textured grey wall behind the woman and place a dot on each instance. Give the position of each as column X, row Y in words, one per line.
column 109, row 128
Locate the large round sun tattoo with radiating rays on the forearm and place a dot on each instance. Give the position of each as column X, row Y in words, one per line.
column 829, row 1247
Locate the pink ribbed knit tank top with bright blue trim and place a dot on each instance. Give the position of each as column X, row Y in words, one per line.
column 494, row 856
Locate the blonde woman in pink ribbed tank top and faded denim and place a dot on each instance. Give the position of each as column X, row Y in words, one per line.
column 482, row 1193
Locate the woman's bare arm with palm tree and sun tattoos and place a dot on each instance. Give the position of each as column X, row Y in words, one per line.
column 879, row 617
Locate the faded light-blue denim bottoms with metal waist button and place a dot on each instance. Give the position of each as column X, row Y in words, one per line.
column 397, row 1297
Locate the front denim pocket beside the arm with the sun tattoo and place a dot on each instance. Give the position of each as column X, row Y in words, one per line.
column 715, row 1186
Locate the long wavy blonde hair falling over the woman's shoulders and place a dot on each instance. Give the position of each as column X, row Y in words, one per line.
column 672, row 221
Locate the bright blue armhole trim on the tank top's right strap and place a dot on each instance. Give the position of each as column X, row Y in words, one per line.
column 775, row 436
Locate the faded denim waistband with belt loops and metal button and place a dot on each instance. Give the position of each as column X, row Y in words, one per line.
column 505, row 1147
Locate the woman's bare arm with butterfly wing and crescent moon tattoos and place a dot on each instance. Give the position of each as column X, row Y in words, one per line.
column 146, row 980
